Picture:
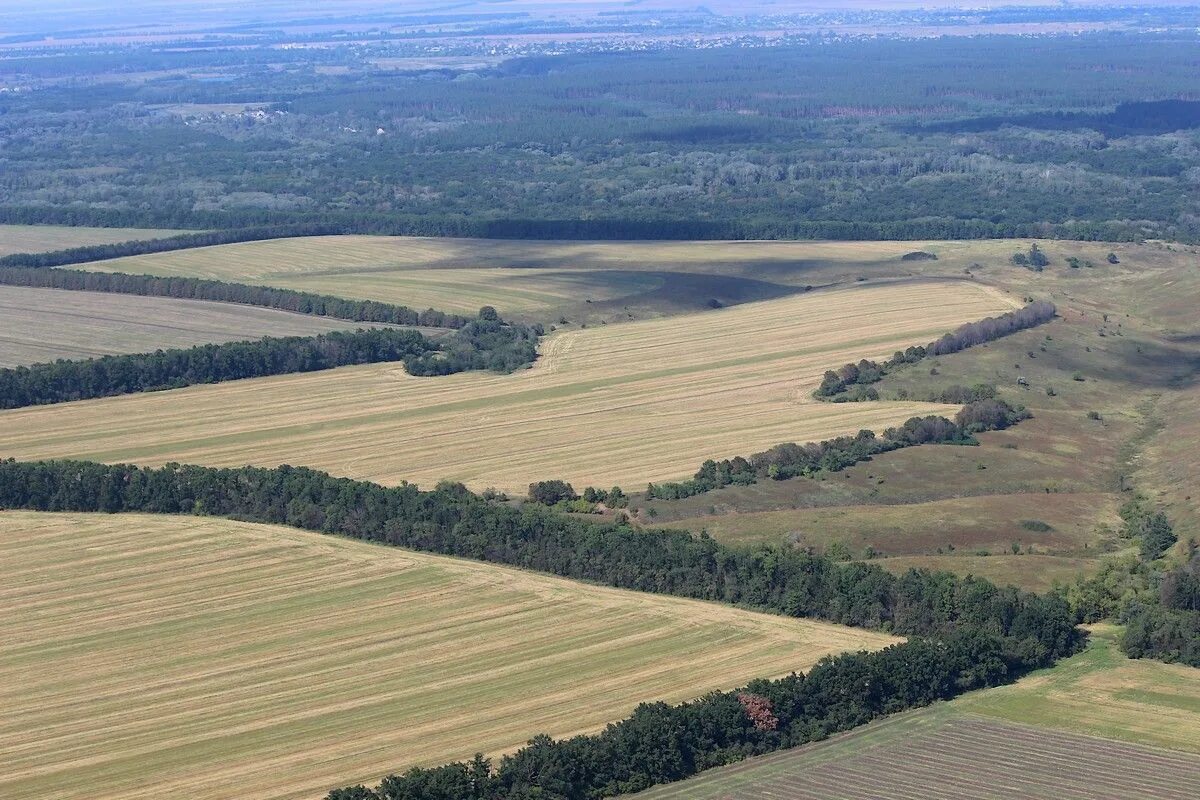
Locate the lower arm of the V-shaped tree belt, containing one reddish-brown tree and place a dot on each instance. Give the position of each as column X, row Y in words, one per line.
column 659, row 743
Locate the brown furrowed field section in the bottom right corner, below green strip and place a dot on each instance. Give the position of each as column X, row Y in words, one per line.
column 937, row 754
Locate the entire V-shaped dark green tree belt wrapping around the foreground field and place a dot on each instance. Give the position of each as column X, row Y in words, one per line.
column 979, row 635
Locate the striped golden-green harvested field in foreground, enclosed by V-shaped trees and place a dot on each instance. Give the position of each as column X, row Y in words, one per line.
column 153, row 657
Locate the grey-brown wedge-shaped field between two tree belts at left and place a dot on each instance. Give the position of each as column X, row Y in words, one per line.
column 40, row 326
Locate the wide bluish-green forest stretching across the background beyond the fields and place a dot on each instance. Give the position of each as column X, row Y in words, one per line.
column 1088, row 137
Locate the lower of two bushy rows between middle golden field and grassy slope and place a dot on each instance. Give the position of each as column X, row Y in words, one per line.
column 791, row 460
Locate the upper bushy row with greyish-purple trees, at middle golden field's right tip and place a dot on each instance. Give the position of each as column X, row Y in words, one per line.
column 849, row 383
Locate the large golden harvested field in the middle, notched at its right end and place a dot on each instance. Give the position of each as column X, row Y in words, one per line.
column 622, row 405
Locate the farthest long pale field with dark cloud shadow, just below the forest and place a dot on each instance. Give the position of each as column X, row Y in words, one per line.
column 596, row 281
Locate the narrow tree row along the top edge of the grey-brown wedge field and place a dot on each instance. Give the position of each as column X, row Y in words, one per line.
column 304, row 303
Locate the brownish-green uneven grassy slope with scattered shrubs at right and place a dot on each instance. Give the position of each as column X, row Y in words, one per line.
column 1136, row 370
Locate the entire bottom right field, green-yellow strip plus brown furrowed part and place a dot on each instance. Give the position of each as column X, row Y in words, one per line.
column 1095, row 727
